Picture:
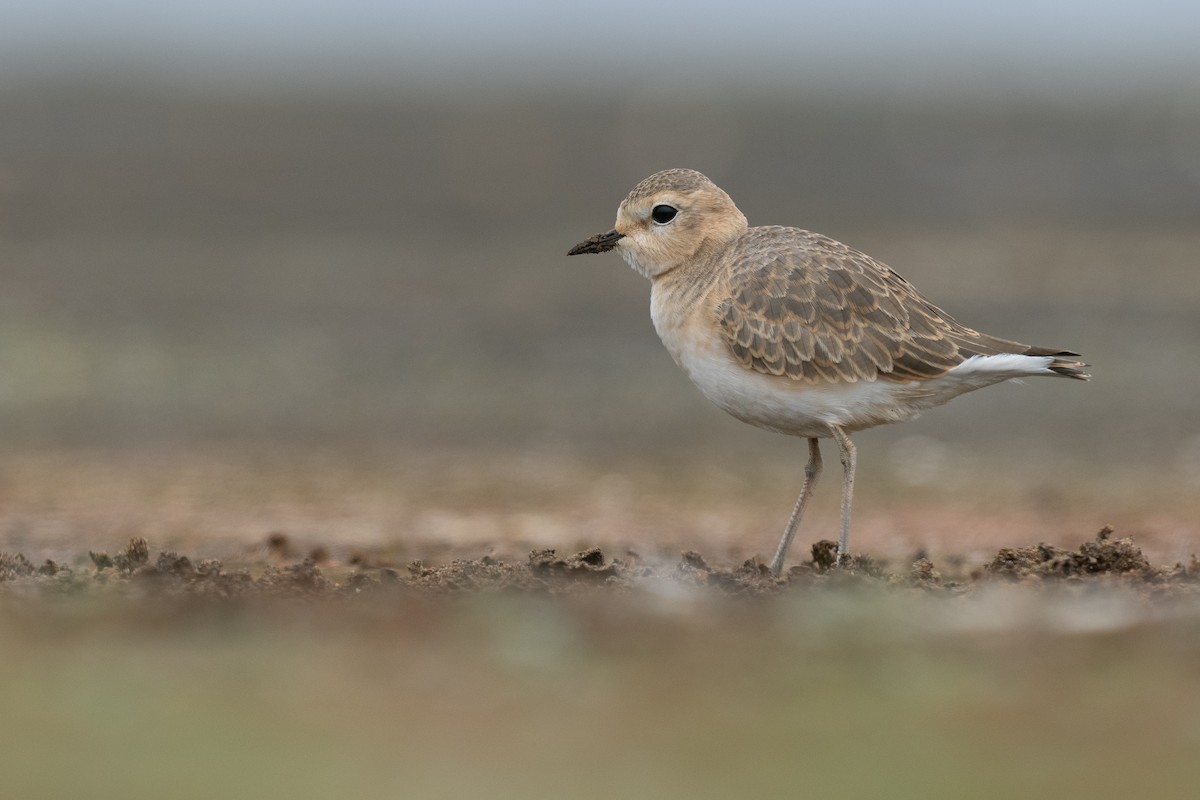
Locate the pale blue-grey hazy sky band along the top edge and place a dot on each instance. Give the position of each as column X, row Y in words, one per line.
column 863, row 40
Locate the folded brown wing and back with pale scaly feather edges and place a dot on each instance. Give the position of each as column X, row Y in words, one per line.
column 808, row 308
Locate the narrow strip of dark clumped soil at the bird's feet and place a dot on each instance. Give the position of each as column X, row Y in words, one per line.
column 1105, row 561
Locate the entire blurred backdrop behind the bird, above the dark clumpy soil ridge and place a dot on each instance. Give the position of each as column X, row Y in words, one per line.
column 303, row 267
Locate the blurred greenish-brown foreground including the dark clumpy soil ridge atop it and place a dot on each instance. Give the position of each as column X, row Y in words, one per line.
column 142, row 677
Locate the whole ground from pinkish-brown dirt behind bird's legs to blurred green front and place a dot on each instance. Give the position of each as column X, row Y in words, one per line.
column 303, row 628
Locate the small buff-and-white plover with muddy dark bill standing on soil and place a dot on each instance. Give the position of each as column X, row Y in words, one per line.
column 799, row 334
